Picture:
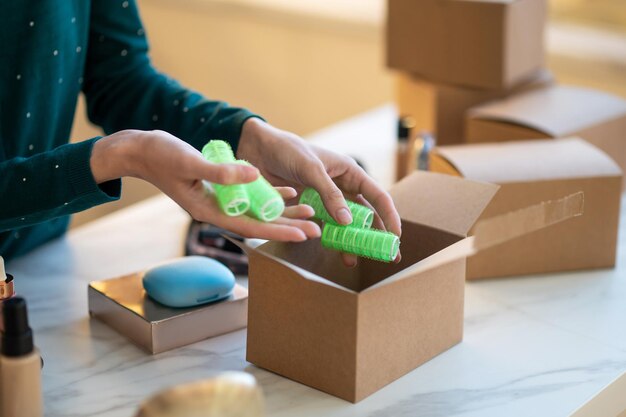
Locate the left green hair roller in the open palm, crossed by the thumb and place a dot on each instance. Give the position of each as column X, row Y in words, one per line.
column 233, row 198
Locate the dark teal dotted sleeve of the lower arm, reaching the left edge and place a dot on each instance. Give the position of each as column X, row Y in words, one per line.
column 50, row 185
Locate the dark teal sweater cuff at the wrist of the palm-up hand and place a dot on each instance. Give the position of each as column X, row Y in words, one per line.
column 78, row 170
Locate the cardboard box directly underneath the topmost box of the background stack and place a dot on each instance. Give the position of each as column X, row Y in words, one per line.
column 440, row 108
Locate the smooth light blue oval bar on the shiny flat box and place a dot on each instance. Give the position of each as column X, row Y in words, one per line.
column 189, row 281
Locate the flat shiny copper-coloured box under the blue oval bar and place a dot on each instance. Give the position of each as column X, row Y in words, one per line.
column 122, row 304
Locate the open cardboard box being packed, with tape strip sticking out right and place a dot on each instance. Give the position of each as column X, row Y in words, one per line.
column 351, row 331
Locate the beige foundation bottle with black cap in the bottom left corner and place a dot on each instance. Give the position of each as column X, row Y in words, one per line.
column 20, row 364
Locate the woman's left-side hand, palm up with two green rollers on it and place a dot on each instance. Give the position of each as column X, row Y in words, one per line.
column 177, row 169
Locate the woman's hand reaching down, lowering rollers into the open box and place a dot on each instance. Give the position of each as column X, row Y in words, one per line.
column 286, row 160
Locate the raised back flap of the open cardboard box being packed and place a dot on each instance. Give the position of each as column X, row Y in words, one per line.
column 441, row 201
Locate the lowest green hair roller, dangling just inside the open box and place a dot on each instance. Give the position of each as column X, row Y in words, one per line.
column 369, row 243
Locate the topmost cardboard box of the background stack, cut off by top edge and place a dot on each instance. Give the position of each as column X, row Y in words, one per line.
column 477, row 43
